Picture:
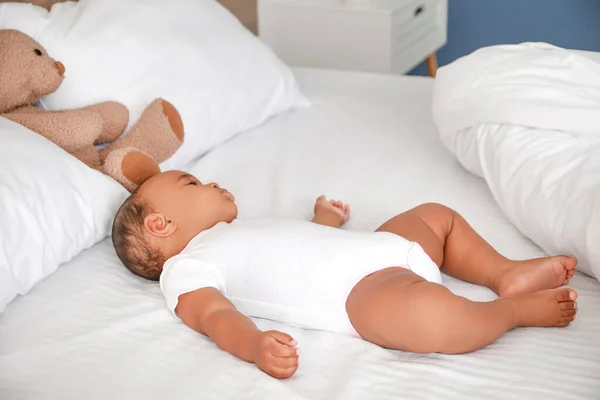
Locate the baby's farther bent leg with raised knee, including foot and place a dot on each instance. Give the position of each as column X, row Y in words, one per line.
column 460, row 252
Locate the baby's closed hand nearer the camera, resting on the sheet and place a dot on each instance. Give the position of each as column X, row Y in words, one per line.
column 276, row 354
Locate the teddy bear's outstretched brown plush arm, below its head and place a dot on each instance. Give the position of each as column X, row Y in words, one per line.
column 71, row 130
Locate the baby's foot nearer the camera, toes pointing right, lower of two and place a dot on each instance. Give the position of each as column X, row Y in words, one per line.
column 554, row 307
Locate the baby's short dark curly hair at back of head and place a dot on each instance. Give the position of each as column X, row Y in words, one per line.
column 130, row 241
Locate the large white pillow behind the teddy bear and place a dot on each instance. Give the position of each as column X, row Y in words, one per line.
column 194, row 53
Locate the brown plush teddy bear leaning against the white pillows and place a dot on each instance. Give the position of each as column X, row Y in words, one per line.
column 27, row 73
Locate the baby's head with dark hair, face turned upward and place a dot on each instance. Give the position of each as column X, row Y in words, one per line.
column 159, row 219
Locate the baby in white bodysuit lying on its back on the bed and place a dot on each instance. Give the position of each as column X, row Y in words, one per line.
column 215, row 271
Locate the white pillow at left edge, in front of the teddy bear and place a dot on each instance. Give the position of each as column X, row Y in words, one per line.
column 52, row 207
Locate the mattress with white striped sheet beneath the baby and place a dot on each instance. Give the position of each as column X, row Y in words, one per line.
column 92, row 330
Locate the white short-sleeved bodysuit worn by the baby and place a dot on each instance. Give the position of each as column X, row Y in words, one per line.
column 292, row 271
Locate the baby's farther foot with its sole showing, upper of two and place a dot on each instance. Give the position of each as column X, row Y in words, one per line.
column 532, row 275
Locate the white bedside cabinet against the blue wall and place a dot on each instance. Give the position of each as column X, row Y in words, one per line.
column 383, row 36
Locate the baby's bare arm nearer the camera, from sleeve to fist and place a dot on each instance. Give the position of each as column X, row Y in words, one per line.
column 208, row 312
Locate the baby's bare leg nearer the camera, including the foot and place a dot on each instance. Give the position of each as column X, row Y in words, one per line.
column 395, row 308
